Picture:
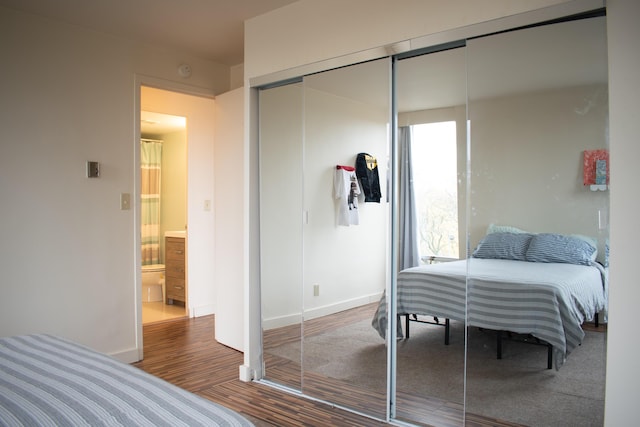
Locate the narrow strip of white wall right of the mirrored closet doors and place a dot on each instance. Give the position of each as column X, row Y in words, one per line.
column 623, row 375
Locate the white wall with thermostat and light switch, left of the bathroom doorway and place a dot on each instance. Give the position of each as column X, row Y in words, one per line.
column 67, row 252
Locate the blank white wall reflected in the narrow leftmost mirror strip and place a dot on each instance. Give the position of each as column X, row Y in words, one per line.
column 281, row 201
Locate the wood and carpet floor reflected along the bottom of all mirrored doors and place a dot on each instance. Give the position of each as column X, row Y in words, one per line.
column 357, row 381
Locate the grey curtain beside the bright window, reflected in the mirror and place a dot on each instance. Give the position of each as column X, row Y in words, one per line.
column 408, row 256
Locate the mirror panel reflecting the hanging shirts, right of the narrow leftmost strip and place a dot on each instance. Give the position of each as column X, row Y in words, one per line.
column 345, row 248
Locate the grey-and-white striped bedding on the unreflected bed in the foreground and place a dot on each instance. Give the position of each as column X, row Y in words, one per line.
column 48, row 381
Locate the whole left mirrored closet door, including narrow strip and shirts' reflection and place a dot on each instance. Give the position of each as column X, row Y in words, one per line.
column 324, row 234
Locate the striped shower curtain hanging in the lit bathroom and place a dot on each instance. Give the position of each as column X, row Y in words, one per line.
column 150, row 162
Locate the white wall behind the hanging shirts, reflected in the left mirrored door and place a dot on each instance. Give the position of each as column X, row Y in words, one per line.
column 302, row 243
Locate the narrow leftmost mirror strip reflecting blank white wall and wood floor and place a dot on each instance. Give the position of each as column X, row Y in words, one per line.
column 281, row 193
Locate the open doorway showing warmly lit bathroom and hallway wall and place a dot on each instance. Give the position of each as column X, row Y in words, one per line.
column 181, row 125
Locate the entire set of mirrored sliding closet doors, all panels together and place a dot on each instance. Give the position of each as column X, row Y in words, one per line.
column 502, row 134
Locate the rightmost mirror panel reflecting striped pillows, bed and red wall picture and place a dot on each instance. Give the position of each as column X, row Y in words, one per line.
column 538, row 112
